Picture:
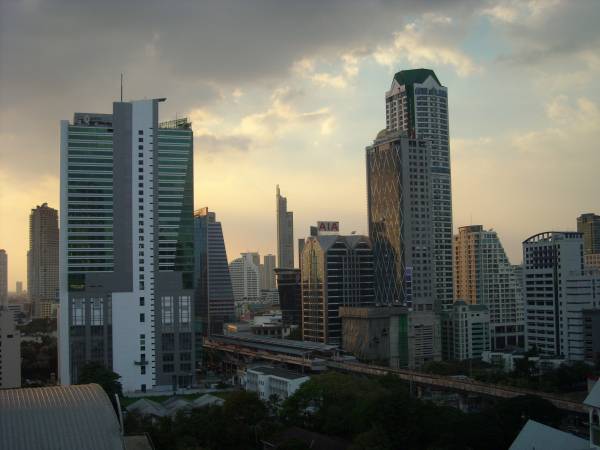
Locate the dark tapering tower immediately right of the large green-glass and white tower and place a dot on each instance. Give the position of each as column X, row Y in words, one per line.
column 213, row 299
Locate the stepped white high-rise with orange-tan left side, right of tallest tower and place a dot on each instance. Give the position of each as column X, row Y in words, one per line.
column 484, row 276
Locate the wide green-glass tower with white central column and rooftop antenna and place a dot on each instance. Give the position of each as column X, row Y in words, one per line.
column 126, row 246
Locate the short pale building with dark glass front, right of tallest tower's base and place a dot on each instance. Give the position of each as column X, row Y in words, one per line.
column 465, row 331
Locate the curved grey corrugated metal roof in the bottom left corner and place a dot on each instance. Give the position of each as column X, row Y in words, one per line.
column 58, row 418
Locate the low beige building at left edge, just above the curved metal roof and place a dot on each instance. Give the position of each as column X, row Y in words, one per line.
column 10, row 351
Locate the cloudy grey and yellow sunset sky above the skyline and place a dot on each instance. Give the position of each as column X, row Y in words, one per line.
column 291, row 93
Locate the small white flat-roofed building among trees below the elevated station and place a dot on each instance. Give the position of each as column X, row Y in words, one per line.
column 268, row 381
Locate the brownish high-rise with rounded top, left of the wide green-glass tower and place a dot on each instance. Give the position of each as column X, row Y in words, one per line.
column 42, row 257
